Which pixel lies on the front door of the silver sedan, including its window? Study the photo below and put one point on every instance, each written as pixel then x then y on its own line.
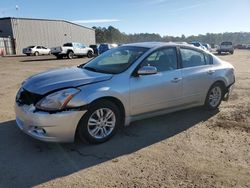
pixel 158 91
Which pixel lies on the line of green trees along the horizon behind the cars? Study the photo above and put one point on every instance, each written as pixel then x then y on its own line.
pixel 113 35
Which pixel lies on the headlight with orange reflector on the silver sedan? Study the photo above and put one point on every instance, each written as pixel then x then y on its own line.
pixel 58 100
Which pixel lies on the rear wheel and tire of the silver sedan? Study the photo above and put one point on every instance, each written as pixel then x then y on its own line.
pixel 214 96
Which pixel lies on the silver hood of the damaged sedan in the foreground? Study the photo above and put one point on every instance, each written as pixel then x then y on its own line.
pixel 62 78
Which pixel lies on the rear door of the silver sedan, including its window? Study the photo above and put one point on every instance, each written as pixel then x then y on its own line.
pixel 197 74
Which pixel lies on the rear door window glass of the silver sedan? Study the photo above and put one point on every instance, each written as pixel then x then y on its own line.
pixel 192 58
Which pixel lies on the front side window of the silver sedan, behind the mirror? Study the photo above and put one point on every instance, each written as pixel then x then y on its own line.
pixel 163 60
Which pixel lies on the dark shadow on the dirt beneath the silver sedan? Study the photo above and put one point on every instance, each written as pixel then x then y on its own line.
pixel 26 162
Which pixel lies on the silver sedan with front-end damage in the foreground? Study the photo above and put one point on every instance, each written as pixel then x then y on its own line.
pixel 125 84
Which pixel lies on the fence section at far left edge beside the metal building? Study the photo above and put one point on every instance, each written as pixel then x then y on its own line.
pixel 7 46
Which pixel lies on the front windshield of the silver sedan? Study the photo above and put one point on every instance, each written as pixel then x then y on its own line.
pixel 116 60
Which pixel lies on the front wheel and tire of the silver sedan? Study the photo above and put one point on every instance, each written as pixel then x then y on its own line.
pixel 91 128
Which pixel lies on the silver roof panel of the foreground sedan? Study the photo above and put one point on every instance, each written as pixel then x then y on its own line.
pixel 157 44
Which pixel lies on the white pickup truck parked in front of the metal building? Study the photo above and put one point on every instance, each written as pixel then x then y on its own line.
pixel 70 50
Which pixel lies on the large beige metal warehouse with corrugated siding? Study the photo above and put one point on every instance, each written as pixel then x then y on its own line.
pixel 49 33
